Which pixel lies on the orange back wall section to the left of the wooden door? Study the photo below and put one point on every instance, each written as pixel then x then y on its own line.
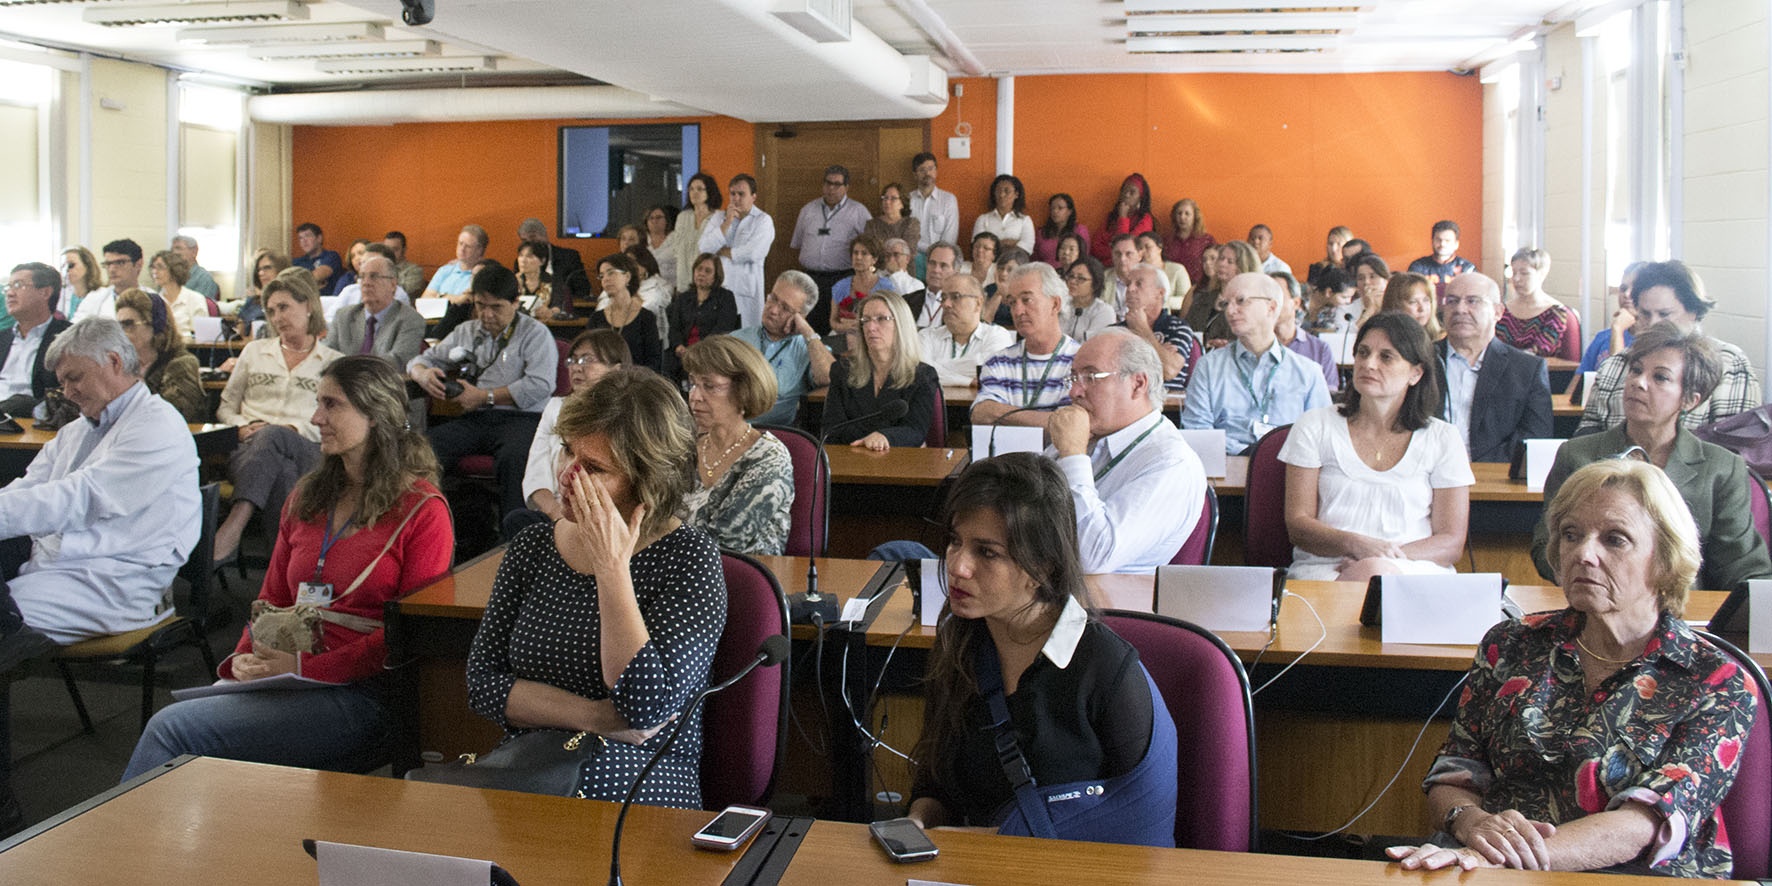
pixel 430 180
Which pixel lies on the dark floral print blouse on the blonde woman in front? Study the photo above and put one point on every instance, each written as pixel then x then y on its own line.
pixel 1663 731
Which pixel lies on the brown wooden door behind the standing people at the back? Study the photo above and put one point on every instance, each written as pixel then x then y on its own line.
pixel 791 169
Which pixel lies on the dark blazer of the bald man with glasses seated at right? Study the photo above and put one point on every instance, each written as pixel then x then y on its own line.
pixel 1512 400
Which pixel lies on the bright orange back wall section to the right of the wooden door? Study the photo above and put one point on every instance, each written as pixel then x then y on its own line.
pixel 1387 155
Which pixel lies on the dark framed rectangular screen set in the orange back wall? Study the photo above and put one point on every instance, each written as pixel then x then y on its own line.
pixel 612 175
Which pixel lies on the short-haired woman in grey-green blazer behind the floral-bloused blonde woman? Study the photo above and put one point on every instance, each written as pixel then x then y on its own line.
pixel 1672 371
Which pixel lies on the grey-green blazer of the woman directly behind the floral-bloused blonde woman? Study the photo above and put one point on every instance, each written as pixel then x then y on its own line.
pixel 1714 485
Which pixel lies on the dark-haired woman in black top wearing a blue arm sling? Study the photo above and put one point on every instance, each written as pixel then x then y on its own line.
pixel 1016 618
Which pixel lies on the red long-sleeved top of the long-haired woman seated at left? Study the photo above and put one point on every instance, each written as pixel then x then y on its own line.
pixel 423 554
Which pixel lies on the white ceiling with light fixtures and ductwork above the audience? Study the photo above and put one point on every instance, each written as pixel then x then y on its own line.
pixel 692 54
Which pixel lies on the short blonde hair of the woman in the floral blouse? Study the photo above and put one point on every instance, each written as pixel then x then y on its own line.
pixel 1677 554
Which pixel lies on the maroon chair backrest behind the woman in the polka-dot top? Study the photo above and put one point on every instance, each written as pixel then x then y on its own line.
pixel 745 727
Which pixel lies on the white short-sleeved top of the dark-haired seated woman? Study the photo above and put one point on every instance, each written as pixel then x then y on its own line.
pixel 1351 497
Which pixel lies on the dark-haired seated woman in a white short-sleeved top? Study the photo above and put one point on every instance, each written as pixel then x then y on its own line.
pixel 1380 486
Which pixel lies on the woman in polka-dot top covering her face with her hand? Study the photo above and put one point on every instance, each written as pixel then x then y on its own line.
pixel 607 621
